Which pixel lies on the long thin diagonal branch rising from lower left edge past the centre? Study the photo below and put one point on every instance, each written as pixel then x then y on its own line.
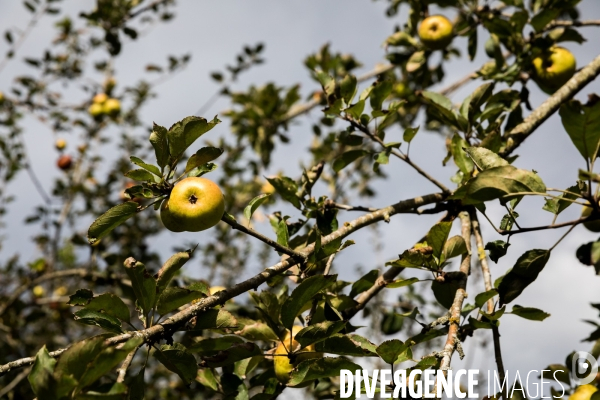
pixel 178 320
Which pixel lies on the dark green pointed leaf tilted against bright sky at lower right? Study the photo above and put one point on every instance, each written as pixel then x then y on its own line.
pixel 525 271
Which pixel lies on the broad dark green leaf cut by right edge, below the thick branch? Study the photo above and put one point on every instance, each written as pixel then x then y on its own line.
pixel 582 123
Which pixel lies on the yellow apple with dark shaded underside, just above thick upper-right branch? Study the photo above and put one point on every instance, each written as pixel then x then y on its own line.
pixel 553 68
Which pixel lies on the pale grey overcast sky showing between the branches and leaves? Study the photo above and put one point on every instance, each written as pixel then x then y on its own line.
pixel 213 32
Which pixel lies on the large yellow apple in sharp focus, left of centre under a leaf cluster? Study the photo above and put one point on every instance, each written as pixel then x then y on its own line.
pixel 195 204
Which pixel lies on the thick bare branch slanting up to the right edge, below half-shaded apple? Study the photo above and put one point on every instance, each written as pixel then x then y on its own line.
pixel 522 131
